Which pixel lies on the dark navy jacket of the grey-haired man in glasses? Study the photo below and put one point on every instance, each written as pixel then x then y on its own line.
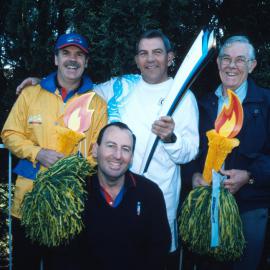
pixel 253 153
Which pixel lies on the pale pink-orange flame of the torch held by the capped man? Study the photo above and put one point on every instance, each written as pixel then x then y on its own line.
pixel 77 115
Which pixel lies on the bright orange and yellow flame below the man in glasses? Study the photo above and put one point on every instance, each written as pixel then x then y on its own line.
pixel 230 120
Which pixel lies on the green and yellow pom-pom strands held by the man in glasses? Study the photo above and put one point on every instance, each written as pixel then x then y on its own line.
pixel 195 225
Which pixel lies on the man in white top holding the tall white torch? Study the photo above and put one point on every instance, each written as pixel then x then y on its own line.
pixel 136 100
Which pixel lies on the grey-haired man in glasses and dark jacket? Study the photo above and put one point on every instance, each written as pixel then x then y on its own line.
pixel 247 167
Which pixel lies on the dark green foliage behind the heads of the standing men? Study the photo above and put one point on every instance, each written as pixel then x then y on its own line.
pixel 29 29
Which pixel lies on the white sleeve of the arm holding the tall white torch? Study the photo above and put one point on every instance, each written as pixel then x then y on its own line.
pixel 186 119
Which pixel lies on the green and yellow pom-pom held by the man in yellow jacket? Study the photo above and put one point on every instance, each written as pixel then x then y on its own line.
pixel 51 212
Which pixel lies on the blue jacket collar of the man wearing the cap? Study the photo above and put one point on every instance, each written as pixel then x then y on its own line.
pixel 49 84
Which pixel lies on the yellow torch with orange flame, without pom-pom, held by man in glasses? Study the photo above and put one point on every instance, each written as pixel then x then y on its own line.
pixel 221 140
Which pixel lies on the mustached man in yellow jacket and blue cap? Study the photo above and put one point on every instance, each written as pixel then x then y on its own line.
pixel 30 131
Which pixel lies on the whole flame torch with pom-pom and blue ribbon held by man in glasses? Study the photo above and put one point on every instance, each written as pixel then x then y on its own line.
pixel 204 225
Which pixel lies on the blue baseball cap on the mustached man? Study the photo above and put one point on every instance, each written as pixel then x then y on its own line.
pixel 72 39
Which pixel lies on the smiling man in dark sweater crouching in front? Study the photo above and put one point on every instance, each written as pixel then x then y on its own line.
pixel 125 217
